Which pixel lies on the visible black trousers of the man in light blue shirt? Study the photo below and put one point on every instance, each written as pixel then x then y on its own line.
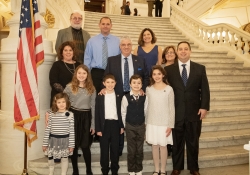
pixel 97 76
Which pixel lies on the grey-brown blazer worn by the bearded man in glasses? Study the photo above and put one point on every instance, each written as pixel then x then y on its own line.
pixel 66 35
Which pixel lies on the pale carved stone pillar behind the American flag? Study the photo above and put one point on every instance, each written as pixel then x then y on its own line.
pixel 11 140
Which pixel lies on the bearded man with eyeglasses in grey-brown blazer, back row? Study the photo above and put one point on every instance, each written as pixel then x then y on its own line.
pixel 74 33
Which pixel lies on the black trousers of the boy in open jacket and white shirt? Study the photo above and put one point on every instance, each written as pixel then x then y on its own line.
pixel 109 144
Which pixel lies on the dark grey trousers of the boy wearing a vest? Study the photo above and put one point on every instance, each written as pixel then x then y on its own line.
pixel 135 139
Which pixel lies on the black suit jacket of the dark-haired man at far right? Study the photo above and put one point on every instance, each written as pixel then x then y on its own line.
pixel 196 94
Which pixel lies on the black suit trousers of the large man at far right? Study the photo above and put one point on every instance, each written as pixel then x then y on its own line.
pixel 188 133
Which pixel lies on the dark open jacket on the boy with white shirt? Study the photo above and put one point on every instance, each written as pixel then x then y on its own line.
pixel 100 112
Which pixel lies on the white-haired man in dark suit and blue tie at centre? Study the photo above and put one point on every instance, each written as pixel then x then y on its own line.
pixel 123 66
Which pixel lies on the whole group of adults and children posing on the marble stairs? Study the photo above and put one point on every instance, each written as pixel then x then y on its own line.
pixel 153 95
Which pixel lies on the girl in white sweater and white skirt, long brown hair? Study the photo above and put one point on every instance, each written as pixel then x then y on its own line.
pixel 160 117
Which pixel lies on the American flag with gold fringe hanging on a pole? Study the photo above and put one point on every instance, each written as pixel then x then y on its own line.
pixel 29 55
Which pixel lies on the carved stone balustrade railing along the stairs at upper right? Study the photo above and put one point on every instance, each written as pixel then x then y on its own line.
pixel 216 37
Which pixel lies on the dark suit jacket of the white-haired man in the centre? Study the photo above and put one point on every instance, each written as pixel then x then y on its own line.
pixel 114 67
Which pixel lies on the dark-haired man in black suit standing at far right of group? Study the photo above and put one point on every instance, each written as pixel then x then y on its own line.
pixel 192 97
